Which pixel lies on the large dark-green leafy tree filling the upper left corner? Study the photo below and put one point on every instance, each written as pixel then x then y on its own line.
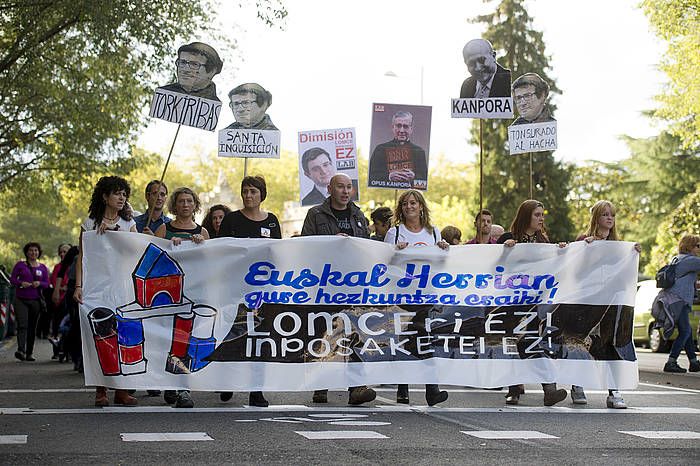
pixel 75 76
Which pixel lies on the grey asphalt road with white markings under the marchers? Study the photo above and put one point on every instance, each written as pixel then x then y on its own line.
pixel 47 416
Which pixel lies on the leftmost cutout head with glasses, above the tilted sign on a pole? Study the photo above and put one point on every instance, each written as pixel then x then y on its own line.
pixel 197 64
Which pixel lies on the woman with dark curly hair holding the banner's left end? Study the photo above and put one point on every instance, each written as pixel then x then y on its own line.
pixel 106 212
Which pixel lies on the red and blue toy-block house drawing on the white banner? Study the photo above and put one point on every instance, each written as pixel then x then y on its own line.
pixel 158 282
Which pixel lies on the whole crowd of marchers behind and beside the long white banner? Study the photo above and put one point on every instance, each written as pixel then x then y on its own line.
pixel 408 226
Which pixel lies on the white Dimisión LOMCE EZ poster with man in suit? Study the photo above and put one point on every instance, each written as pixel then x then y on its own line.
pixel 322 154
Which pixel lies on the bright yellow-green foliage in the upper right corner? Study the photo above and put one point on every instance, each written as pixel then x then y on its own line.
pixel 678 22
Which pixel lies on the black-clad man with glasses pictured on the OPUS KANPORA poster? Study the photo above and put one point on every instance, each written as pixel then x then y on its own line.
pixel 399 163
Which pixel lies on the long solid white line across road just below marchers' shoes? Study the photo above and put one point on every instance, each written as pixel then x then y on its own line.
pixel 555 410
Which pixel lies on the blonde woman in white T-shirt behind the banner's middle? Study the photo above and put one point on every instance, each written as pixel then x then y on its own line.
pixel 413 229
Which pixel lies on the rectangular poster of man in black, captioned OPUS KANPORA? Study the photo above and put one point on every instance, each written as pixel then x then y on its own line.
pixel 400 143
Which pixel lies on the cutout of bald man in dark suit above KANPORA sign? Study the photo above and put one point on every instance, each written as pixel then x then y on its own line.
pixel 488 78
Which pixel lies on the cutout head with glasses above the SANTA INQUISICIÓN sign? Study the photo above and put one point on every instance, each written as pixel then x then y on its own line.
pixel 249 102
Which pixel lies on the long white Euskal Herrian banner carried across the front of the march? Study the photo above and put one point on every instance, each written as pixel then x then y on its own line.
pixel 332 312
